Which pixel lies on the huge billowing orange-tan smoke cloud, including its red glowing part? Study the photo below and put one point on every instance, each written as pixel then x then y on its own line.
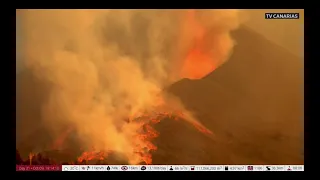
pixel 107 65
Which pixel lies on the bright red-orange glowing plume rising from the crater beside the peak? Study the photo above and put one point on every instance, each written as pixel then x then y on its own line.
pixel 209 47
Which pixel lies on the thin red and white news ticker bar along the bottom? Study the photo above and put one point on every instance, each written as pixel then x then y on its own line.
pixel 160 168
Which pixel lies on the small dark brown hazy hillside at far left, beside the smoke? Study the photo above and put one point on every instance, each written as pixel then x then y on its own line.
pixel 31 93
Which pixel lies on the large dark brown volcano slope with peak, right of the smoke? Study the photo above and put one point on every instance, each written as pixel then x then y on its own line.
pixel 253 103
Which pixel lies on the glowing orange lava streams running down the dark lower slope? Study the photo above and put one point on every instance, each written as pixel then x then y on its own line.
pixel 143 139
